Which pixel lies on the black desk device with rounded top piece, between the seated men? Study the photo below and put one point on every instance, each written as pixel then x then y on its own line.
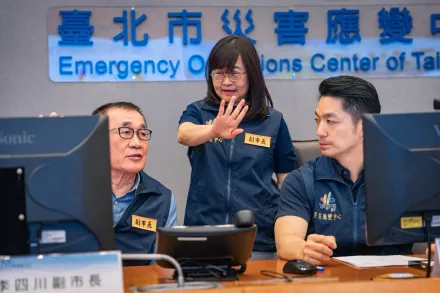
pixel 209 252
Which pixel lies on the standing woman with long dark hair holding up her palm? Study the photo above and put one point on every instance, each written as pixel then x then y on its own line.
pixel 236 141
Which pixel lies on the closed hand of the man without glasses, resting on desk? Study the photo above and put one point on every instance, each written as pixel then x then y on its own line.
pixel 319 248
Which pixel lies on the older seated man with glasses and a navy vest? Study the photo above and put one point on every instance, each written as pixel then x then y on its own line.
pixel 140 203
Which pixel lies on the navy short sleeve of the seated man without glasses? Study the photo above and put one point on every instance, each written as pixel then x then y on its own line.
pixel 293 198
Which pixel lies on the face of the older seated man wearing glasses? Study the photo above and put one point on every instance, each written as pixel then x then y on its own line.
pixel 126 155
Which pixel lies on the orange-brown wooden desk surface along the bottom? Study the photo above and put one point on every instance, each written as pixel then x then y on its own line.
pixel 350 279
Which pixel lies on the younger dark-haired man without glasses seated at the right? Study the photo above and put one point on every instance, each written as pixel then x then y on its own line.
pixel 322 204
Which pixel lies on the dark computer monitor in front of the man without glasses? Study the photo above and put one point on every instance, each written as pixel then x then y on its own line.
pixel 402 177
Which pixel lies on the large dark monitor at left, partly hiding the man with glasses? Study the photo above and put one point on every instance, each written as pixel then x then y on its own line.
pixel 55 185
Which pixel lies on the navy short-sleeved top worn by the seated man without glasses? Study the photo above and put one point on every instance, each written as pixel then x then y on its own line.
pixel 322 193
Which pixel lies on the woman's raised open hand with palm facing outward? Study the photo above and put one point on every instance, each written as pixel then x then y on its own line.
pixel 226 122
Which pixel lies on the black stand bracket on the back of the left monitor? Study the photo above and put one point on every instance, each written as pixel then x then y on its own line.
pixel 13 220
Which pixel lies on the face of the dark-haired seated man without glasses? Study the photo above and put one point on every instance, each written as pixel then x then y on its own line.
pixel 337 133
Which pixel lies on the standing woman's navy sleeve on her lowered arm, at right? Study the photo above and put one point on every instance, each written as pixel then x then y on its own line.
pixel 284 154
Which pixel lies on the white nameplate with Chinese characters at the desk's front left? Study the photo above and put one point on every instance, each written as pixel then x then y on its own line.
pixel 62 273
